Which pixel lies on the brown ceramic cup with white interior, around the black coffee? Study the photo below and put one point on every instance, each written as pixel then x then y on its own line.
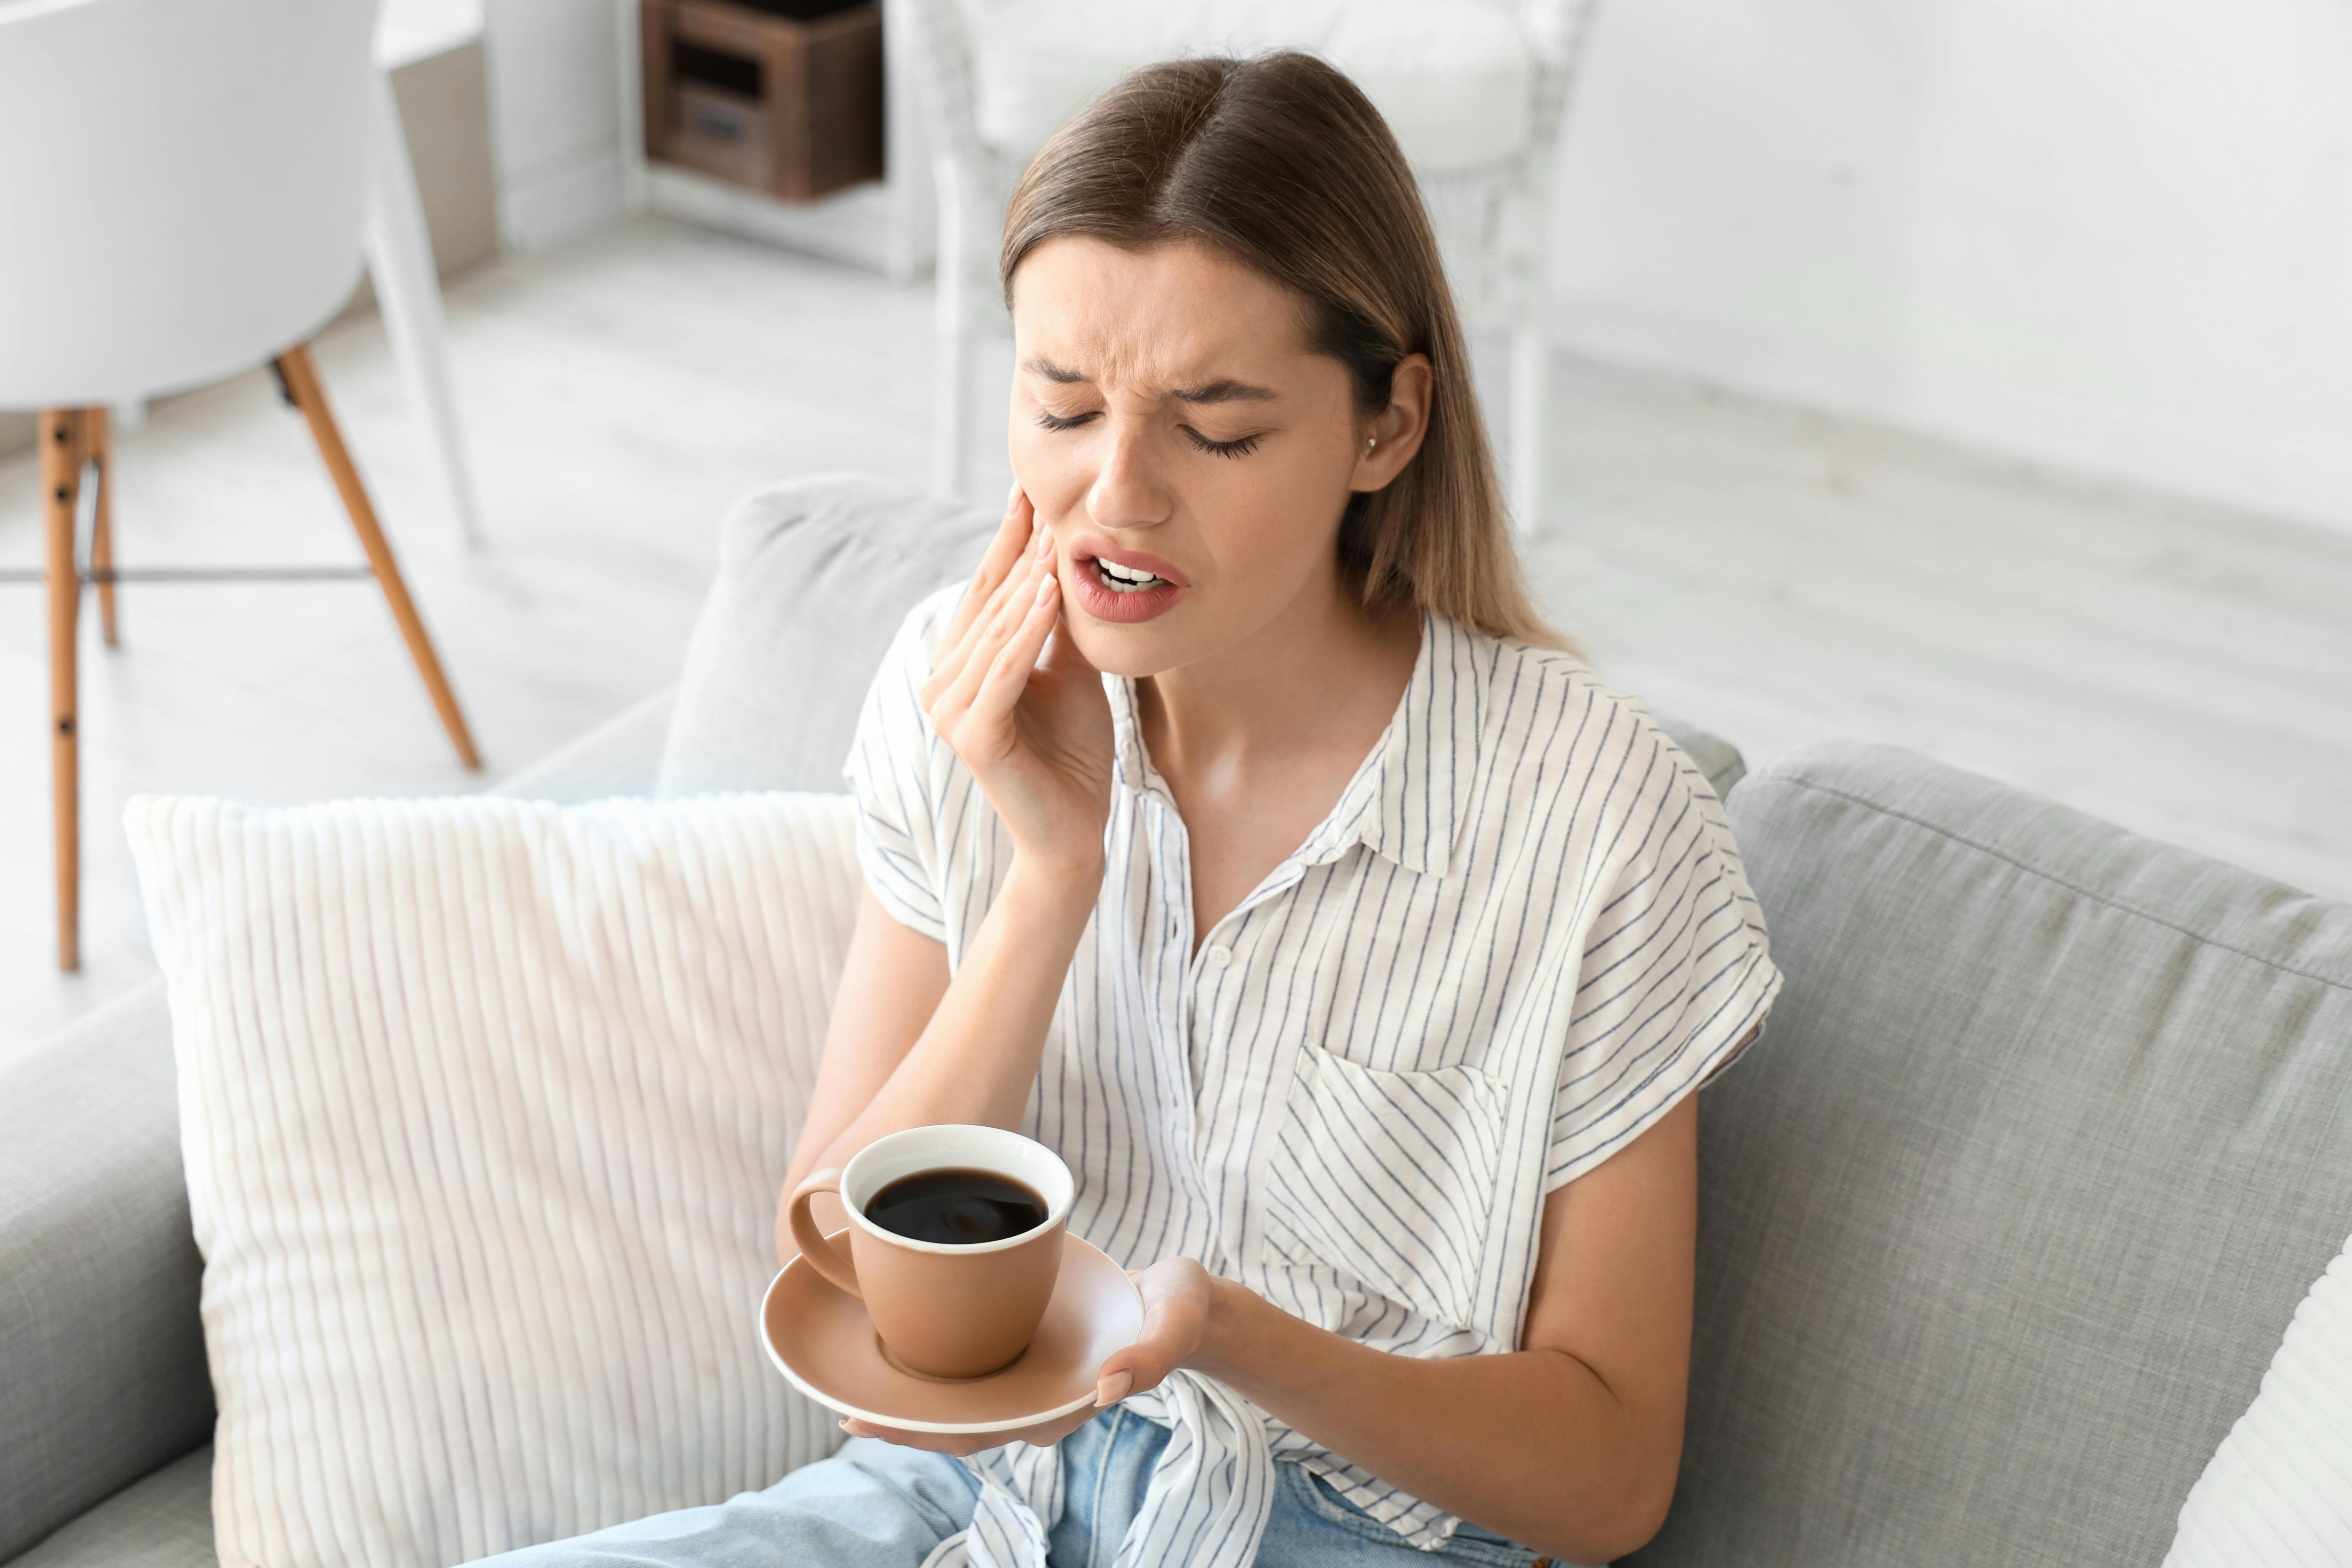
pixel 942 1311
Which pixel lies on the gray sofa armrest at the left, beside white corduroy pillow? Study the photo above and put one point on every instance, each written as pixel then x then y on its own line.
pixel 102 1353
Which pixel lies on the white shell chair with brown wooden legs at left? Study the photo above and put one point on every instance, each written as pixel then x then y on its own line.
pixel 185 187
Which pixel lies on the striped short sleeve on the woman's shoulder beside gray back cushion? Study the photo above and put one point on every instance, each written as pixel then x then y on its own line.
pixel 1673 984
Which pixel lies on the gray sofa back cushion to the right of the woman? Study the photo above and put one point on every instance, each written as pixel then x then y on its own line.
pixel 2005 1219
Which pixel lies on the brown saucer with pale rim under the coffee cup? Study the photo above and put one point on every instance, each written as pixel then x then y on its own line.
pixel 822 1339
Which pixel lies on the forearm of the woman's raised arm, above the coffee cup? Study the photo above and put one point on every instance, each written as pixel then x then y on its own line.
pixel 977 1057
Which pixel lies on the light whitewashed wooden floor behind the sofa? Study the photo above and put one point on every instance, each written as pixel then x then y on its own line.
pixel 1775 575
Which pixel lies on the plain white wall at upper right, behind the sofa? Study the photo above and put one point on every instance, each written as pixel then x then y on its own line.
pixel 2109 234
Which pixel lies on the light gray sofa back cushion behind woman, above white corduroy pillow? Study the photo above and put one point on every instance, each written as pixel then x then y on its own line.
pixel 815 579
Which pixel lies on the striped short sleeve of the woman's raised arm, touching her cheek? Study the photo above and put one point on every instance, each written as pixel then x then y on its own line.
pixel 895 768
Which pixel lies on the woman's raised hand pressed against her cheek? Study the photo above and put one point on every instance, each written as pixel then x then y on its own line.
pixel 1022 706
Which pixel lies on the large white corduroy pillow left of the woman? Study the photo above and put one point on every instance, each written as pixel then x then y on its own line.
pixel 486 1106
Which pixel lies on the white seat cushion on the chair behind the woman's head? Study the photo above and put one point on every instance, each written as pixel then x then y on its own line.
pixel 1455 81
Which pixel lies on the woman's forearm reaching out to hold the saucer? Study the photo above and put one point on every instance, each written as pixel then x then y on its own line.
pixel 1528 1445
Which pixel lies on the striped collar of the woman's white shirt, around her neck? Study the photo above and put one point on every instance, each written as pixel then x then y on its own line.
pixel 1412 793
